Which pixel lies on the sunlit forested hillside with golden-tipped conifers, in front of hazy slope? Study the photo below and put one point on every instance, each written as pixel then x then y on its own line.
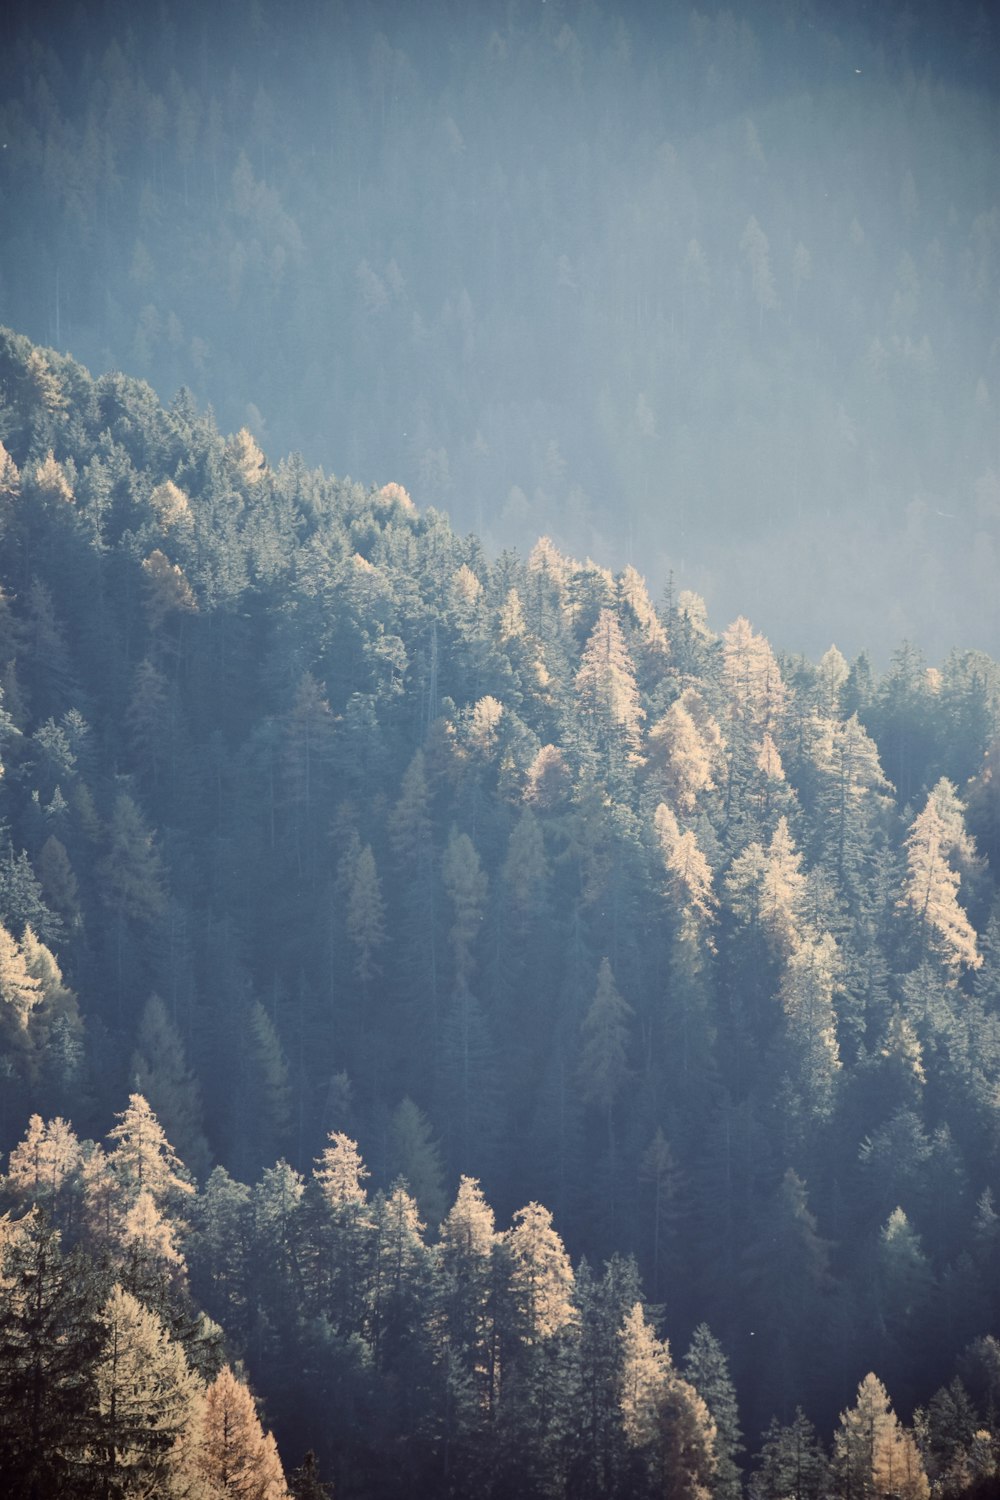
pixel 356 883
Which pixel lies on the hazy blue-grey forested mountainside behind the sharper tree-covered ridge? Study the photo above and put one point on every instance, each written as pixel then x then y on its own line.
pixel 710 290
